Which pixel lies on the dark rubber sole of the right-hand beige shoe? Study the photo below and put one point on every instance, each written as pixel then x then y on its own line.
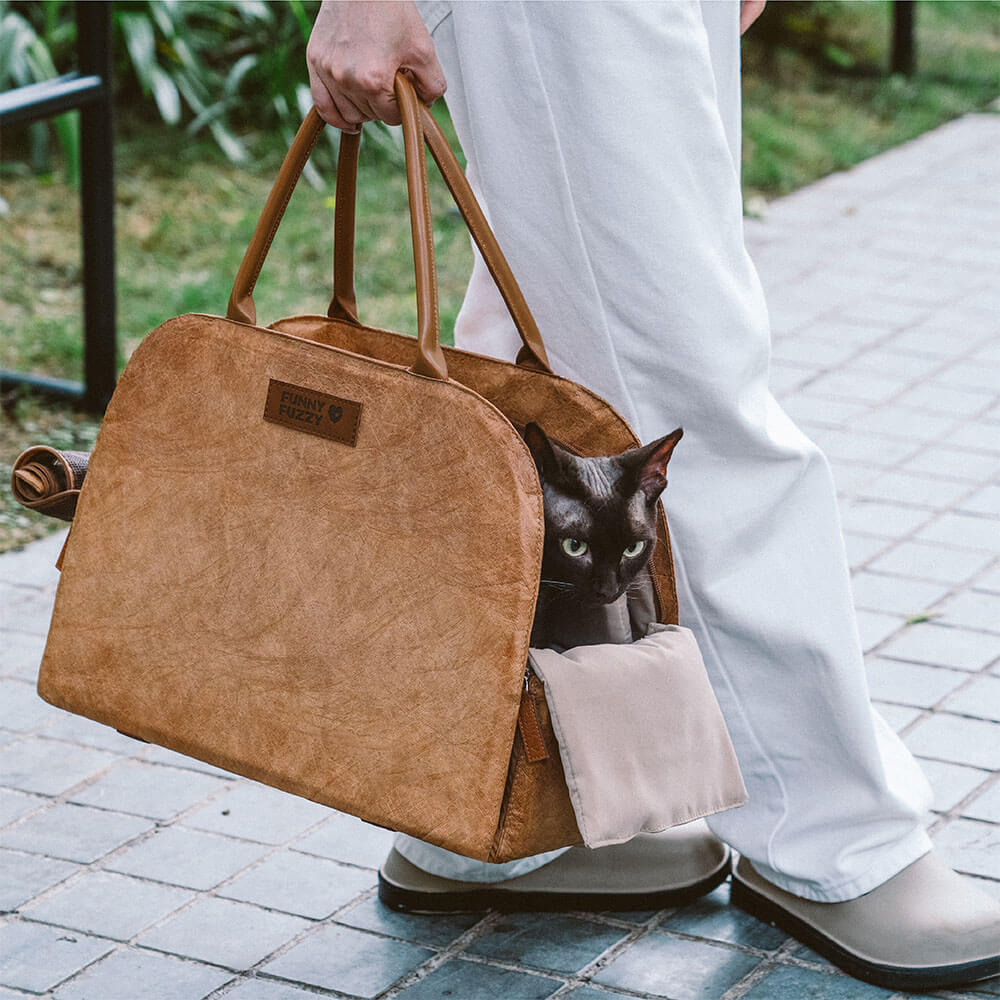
pixel 891 977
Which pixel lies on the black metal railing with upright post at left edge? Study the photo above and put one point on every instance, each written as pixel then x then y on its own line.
pixel 88 90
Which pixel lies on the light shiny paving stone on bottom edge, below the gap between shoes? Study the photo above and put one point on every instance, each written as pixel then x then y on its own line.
pixel 677 968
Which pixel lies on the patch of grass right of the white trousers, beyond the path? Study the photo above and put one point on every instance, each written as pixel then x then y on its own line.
pixel 815 102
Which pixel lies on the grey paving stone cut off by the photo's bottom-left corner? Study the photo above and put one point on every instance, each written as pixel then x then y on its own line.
pixel 36 958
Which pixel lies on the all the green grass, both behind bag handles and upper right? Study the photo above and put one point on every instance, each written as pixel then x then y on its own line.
pixel 815 100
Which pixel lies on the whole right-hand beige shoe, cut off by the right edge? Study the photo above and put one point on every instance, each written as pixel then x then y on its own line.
pixel 926 927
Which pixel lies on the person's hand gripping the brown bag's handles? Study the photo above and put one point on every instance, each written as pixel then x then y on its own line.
pixel 354 52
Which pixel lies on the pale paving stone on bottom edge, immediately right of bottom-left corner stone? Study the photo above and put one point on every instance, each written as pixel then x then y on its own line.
pixel 121 976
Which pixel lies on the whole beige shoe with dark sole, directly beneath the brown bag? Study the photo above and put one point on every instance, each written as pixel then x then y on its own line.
pixel 648 873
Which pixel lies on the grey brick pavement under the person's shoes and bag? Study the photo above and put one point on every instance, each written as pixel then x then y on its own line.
pixel 131 872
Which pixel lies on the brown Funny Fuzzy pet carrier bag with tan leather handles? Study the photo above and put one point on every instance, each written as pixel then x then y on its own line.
pixel 309 553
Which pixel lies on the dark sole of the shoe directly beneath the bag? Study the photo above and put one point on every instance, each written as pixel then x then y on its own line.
pixel 509 900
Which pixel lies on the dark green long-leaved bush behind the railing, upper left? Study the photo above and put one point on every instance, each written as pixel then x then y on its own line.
pixel 235 69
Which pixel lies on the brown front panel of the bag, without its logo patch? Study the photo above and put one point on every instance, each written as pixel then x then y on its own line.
pixel 346 623
